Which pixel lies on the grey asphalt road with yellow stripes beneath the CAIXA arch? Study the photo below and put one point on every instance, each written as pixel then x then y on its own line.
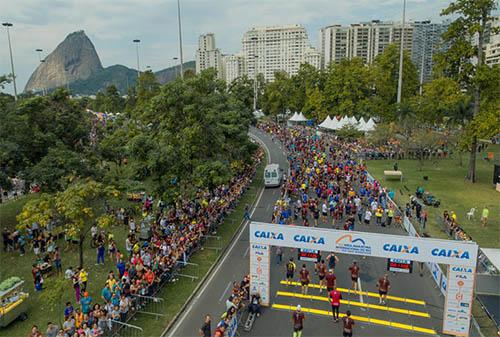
pixel 276 321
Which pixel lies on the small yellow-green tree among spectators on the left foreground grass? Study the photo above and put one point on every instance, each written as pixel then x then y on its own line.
pixel 77 208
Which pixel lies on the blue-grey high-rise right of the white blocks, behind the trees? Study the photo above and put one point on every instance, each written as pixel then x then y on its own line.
pixel 427 41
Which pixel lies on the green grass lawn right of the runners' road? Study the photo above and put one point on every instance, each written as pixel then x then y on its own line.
pixel 447 183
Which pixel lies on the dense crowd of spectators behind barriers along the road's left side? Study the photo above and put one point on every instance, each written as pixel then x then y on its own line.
pixel 173 234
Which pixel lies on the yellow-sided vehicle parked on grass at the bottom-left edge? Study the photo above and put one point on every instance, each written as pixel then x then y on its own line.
pixel 13 302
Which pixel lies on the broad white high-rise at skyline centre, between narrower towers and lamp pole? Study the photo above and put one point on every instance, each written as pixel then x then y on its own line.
pixel 279 48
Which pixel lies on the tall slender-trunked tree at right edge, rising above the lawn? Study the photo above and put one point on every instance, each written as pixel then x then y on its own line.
pixel 464 60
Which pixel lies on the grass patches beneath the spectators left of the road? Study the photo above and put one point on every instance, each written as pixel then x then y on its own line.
pixel 175 294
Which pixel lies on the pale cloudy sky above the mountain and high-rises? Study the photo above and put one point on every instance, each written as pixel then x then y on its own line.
pixel 113 24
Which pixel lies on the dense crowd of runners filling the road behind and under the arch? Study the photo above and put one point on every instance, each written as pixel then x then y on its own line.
pixel 328 185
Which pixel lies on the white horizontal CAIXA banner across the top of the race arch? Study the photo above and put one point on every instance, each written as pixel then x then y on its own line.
pixel 363 243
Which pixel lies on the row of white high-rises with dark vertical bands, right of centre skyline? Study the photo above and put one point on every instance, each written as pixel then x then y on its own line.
pixel 365 40
